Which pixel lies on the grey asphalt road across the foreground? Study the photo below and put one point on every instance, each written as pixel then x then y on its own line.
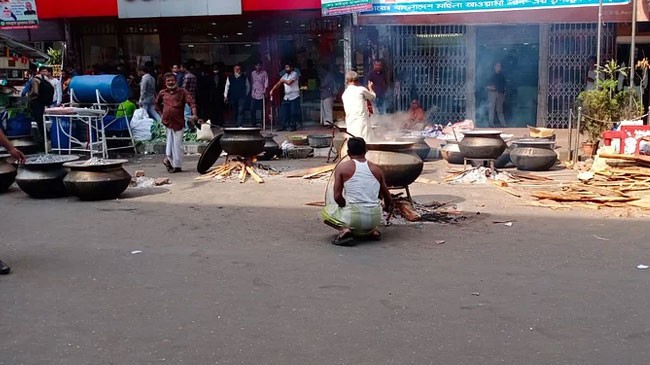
pixel 234 273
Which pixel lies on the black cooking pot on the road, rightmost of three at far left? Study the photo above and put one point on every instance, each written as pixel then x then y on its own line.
pixel 96 179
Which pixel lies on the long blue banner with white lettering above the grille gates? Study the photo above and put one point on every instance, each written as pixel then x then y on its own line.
pixel 404 7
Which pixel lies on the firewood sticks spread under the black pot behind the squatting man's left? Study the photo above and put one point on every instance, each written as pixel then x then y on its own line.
pixel 239 168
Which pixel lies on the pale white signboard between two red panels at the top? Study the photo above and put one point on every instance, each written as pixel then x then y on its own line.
pixel 176 8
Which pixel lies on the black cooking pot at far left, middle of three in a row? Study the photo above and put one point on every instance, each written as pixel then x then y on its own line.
pixel 41 176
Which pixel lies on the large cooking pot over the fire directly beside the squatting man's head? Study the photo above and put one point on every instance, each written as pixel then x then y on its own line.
pixel 401 167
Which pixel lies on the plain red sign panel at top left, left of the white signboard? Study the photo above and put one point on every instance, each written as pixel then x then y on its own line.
pixel 51 9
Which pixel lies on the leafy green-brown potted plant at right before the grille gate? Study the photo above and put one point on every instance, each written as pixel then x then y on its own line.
pixel 606 105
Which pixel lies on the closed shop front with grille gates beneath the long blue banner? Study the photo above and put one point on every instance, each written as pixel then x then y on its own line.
pixel 448 67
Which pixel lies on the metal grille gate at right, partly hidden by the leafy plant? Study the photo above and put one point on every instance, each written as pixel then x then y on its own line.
pixel 569 48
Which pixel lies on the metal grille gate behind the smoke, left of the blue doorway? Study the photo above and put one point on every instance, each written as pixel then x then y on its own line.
pixel 429 63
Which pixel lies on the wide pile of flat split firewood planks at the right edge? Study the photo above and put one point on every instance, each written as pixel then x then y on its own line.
pixel 614 185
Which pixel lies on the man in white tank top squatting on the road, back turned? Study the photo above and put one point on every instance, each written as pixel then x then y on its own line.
pixel 353 207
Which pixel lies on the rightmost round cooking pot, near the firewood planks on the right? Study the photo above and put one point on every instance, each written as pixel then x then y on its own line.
pixel 533 154
